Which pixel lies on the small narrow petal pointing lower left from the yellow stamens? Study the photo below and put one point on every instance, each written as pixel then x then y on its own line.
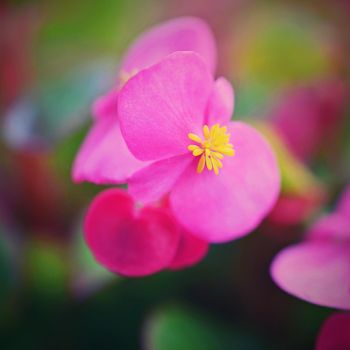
pixel 154 181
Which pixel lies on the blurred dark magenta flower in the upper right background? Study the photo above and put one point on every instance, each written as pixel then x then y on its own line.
pixel 309 118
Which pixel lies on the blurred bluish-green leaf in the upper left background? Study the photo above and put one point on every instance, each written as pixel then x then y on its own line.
pixel 57 107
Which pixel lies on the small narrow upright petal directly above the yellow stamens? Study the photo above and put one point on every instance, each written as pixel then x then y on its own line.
pixel 221 103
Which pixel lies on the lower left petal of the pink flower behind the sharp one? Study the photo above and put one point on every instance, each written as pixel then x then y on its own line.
pixel 104 157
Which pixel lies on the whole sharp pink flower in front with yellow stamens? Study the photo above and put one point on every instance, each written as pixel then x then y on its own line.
pixel 222 176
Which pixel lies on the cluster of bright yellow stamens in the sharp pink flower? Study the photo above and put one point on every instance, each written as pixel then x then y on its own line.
pixel 212 149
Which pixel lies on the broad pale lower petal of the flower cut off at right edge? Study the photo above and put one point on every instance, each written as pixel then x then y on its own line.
pixel 314 271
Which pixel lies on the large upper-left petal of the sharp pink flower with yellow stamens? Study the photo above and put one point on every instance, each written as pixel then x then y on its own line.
pixel 159 106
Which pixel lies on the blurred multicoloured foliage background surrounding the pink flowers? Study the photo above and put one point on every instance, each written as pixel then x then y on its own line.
pixel 289 64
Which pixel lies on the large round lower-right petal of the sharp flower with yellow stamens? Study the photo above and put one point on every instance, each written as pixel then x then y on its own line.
pixel 222 207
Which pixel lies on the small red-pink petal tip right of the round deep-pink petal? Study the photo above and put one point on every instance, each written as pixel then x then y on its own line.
pixel 190 251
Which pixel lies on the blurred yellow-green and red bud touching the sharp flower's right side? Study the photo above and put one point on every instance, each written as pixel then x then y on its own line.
pixel 301 192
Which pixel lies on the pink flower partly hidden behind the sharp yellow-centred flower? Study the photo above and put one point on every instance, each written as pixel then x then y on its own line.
pixel 104 157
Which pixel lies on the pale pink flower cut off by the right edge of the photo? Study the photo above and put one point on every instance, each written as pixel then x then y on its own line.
pixel 318 270
